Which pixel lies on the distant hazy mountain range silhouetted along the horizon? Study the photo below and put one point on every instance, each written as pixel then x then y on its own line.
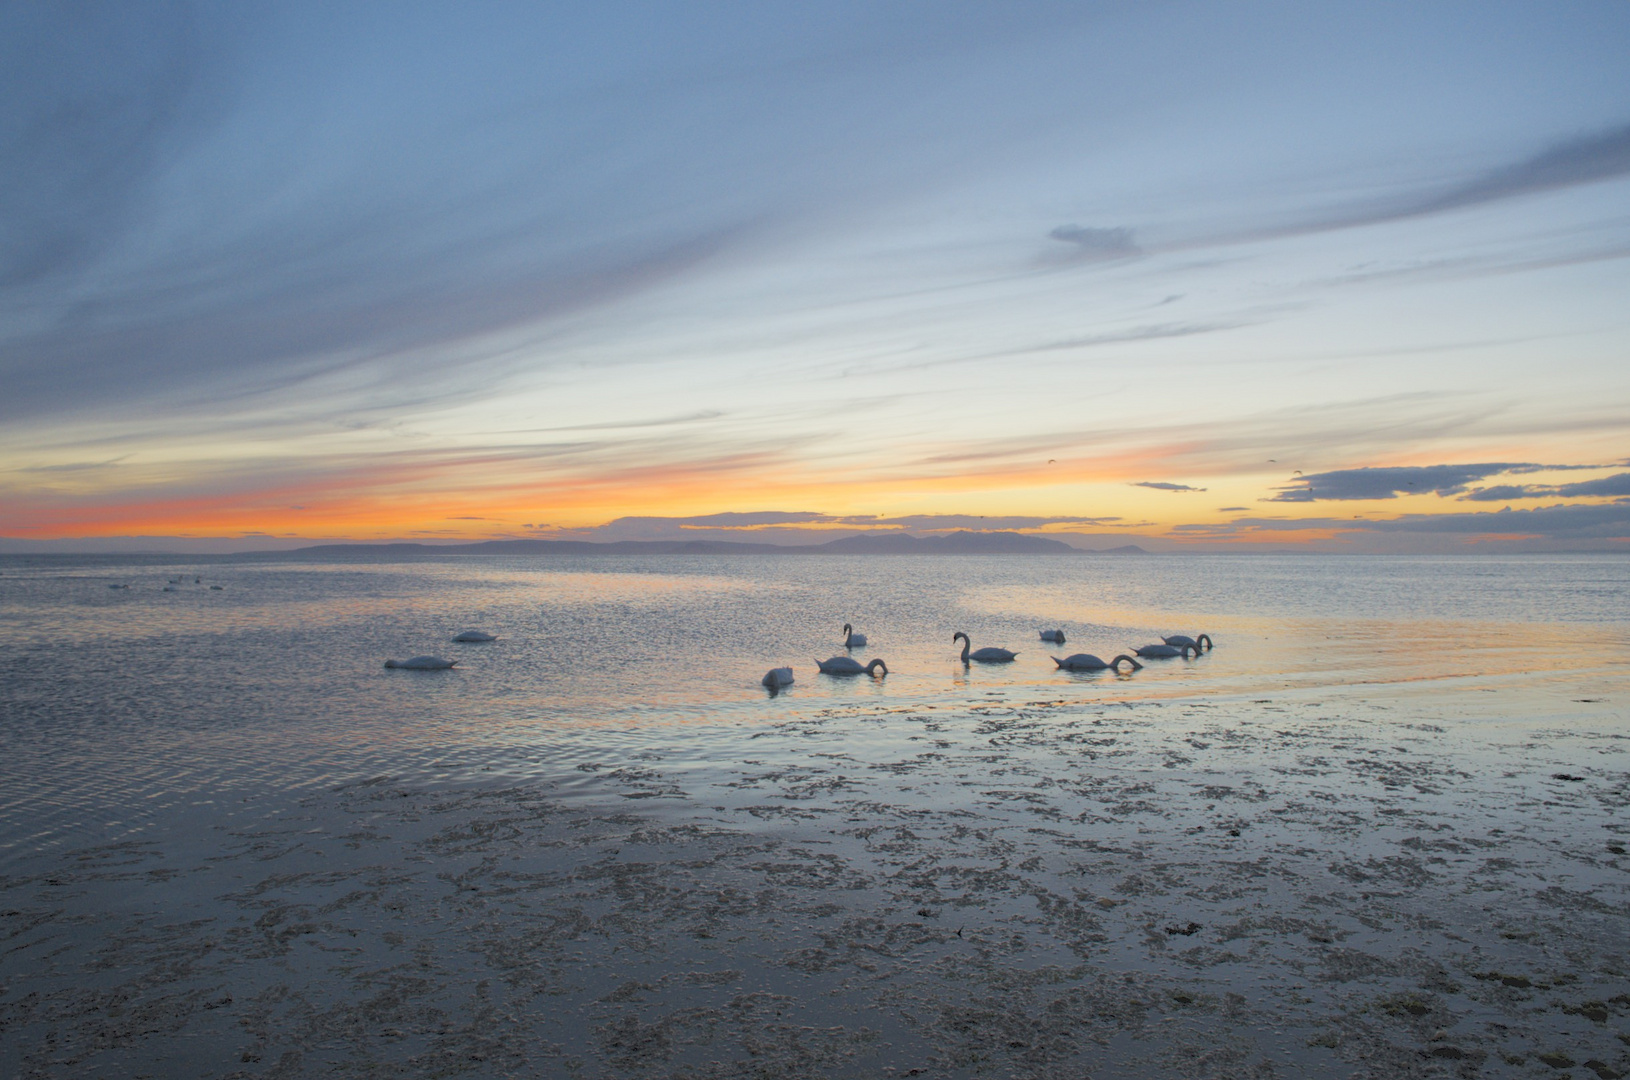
pixel 866 545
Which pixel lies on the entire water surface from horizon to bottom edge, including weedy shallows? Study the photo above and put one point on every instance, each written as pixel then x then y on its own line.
pixel 1380 832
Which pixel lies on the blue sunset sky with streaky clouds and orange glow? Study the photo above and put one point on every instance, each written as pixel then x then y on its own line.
pixel 1194 276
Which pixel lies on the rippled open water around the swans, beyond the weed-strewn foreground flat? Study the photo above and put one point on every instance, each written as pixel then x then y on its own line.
pixel 125 706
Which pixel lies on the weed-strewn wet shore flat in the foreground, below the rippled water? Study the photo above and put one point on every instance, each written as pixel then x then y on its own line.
pixel 1354 884
